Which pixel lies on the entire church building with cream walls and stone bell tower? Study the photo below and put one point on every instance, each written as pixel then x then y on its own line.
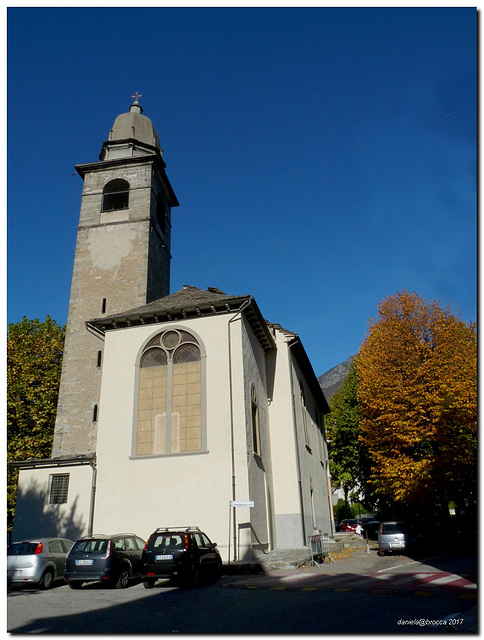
pixel 174 409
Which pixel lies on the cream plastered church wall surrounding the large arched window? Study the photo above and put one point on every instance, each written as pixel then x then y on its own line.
pixel 140 494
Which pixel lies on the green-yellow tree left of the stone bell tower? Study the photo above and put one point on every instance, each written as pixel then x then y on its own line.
pixel 34 362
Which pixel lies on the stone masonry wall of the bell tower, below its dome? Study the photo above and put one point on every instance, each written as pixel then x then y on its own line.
pixel 110 275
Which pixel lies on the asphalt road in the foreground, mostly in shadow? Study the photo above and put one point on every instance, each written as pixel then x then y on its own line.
pixel 304 601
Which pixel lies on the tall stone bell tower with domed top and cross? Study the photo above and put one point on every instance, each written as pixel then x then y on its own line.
pixel 122 261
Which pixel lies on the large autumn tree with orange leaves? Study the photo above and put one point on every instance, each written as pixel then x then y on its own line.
pixel 417 393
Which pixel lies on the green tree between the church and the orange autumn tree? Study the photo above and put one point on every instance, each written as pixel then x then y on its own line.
pixel 348 460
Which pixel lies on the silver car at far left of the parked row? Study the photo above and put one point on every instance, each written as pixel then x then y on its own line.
pixel 38 561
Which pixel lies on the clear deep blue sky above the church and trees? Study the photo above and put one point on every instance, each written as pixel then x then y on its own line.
pixel 324 159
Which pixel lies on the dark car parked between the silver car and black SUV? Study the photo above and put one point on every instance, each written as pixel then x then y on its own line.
pixel 113 560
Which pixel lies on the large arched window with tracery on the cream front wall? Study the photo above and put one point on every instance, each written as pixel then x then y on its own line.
pixel 170 396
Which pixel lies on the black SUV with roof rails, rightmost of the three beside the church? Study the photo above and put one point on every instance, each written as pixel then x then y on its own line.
pixel 184 554
